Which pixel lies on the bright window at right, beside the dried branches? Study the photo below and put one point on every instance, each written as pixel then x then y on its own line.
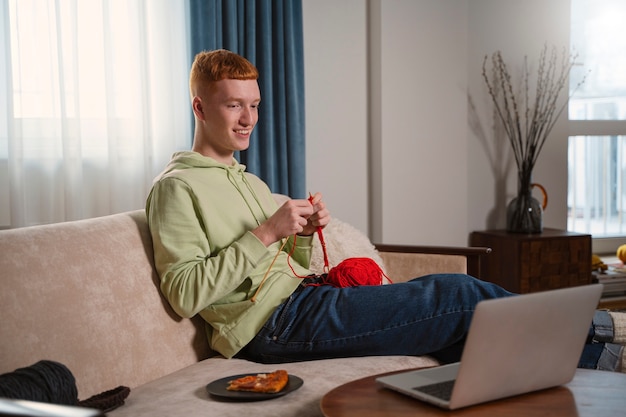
pixel 597 114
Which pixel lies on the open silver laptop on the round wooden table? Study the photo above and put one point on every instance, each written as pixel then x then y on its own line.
pixel 515 345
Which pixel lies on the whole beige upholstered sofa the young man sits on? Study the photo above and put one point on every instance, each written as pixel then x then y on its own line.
pixel 85 294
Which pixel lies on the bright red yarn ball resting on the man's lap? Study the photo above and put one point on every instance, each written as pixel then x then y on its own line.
pixel 353 272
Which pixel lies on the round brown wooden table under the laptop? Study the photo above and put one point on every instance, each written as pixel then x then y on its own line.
pixel 590 393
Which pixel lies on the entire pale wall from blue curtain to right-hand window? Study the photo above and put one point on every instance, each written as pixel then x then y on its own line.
pixel 387 115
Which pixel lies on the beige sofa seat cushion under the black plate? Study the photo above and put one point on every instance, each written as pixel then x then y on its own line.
pixel 184 394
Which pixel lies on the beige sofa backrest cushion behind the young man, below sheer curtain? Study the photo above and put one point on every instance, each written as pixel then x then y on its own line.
pixel 85 294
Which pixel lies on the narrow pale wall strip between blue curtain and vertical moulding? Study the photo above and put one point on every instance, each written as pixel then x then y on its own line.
pixel 335 43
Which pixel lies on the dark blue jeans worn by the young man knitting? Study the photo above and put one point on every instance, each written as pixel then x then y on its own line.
pixel 425 316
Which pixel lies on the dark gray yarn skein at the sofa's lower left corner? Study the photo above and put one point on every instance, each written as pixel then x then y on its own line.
pixel 45 381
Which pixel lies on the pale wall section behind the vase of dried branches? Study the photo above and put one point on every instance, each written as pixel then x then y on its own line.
pixel 516 29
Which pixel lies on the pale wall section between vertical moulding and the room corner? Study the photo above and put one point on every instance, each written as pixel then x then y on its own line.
pixel 423 114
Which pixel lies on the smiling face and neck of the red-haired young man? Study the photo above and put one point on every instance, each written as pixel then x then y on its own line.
pixel 226 113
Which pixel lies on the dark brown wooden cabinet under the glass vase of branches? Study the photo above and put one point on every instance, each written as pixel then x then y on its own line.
pixel 524 263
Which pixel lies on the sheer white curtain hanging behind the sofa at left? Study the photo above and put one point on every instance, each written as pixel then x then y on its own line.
pixel 94 102
